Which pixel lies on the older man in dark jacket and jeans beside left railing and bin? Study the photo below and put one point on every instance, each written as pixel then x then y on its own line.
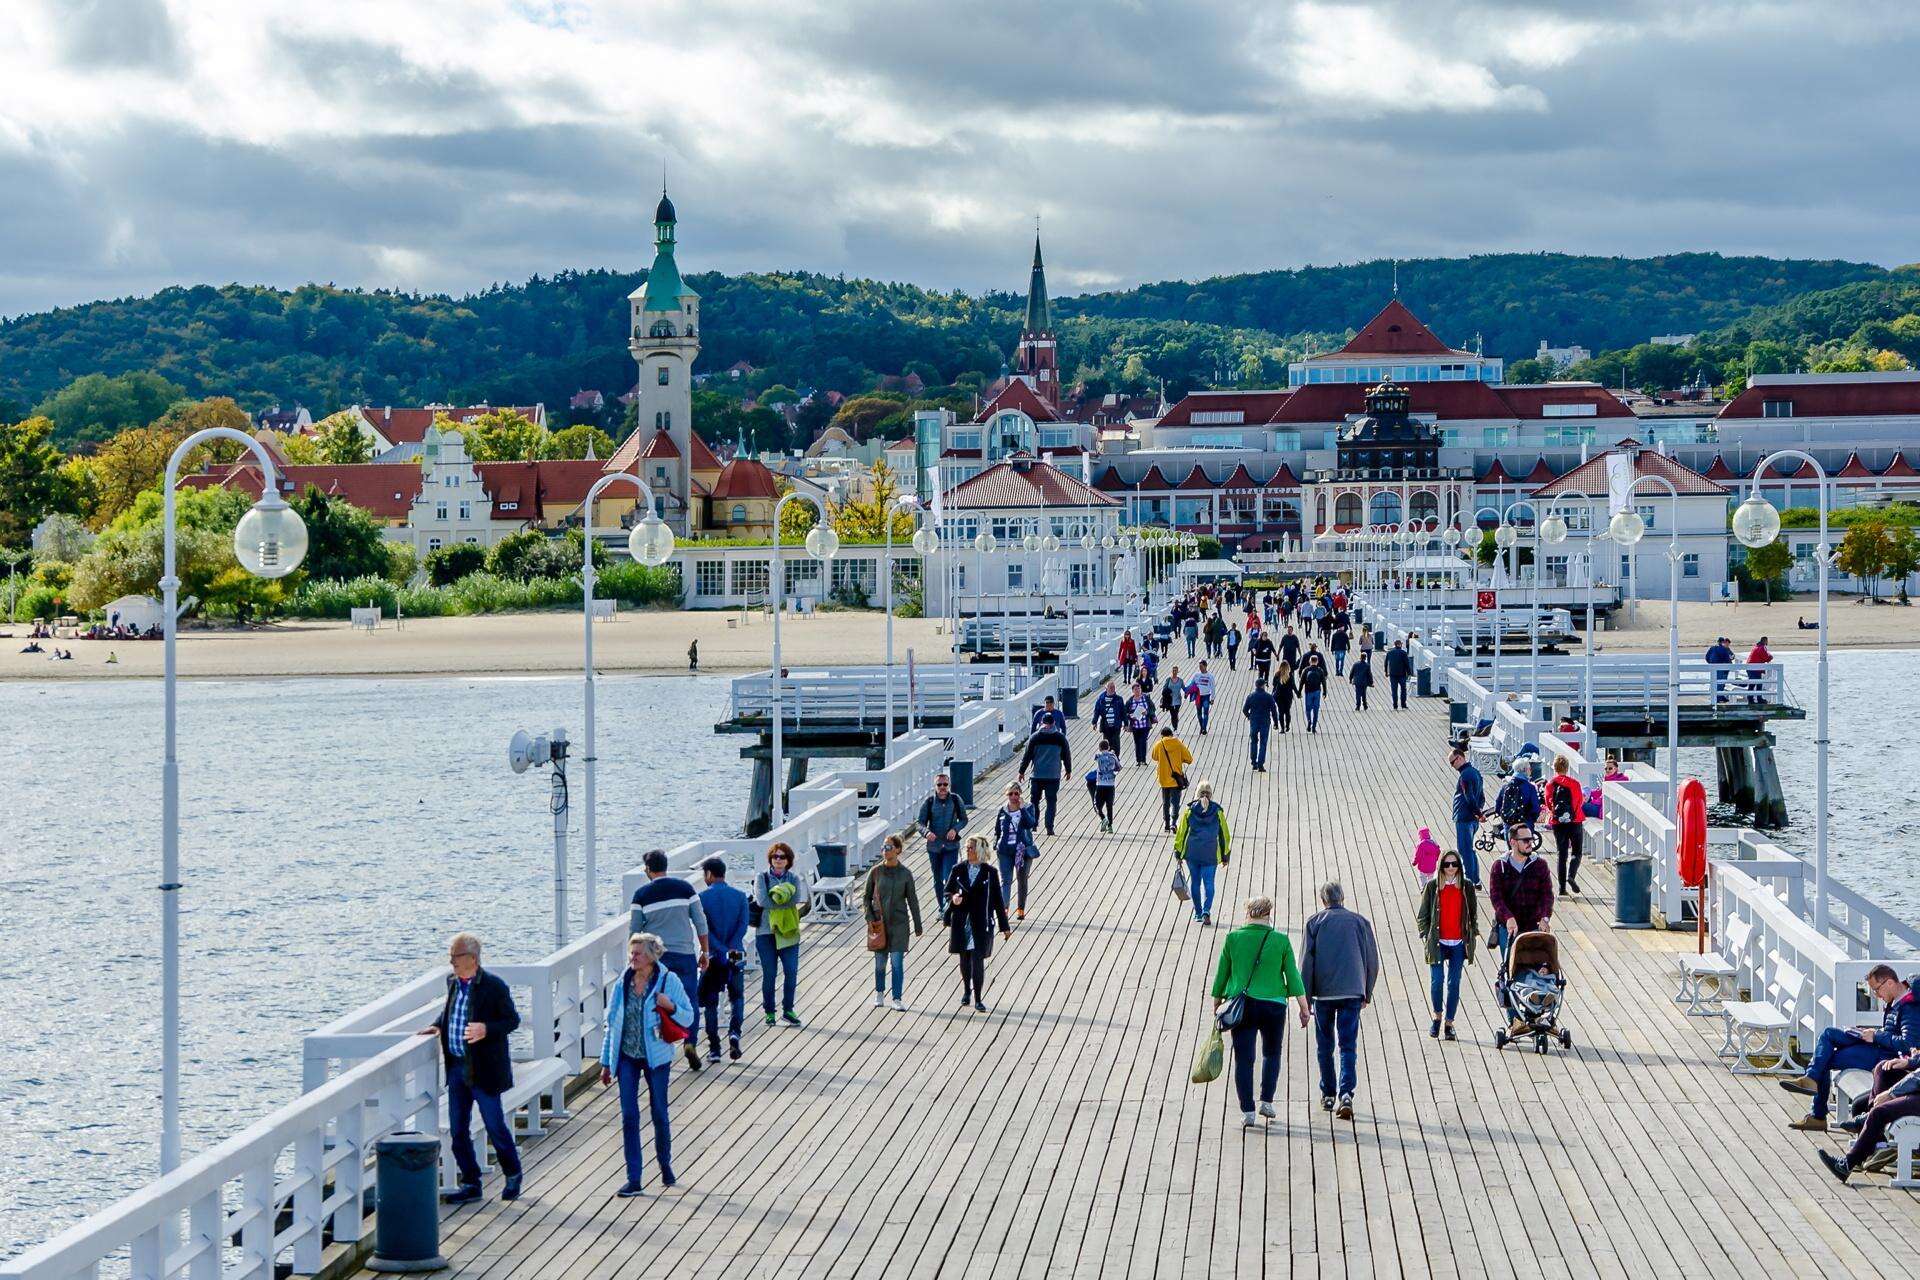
pixel 473 1030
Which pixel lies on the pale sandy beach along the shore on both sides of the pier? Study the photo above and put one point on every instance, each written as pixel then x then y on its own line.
pixel 650 642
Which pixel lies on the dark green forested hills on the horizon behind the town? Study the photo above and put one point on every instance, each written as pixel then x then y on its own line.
pixel 552 337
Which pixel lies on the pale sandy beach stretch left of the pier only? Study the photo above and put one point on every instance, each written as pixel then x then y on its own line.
pixel 642 642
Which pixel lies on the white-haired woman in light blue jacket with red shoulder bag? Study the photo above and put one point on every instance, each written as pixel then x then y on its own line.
pixel 648 1016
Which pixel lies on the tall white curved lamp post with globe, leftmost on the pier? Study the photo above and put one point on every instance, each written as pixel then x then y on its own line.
pixel 270 542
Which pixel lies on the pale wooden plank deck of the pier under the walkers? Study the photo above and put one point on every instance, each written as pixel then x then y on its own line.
pixel 1061 1137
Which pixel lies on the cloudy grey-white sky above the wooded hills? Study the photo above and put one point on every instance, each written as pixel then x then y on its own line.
pixel 446 145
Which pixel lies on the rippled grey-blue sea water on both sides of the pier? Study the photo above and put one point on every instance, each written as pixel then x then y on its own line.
pixel 335 832
